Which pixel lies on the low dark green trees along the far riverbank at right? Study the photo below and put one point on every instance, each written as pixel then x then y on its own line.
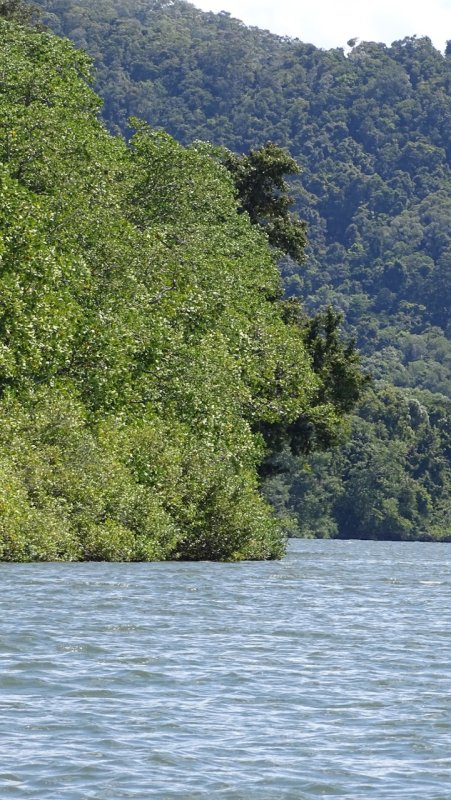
pixel 392 480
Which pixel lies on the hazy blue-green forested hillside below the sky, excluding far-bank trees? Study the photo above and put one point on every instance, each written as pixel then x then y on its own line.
pixel 371 131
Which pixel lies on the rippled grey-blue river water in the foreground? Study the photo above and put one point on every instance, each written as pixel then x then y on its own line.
pixel 327 674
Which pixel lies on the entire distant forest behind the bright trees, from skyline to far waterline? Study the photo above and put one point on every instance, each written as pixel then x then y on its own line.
pixel 370 129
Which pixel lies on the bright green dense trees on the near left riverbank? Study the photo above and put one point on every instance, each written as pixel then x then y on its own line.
pixel 149 365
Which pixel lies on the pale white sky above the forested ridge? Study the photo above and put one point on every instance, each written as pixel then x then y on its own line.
pixel 330 23
